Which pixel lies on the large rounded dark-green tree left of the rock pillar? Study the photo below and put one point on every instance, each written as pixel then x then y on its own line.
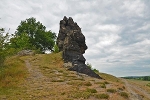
pixel 33 34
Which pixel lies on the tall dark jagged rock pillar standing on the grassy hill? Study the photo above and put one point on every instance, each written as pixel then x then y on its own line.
pixel 72 42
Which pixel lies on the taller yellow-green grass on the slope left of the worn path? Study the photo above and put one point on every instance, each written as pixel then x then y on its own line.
pixel 12 75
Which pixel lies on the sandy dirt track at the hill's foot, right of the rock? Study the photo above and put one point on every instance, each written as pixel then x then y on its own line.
pixel 135 91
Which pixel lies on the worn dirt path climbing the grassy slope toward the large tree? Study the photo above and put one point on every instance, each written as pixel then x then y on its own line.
pixel 37 85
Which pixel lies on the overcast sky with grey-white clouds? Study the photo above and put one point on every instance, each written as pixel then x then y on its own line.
pixel 117 31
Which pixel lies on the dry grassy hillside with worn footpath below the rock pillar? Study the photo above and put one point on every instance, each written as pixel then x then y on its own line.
pixel 42 77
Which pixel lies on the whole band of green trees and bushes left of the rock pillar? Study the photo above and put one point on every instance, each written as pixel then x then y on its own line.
pixel 31 35
